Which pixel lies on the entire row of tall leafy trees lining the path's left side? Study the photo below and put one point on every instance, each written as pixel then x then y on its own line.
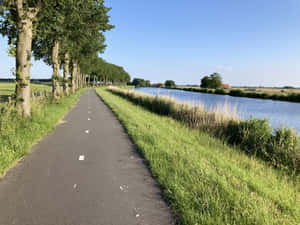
pixel 66 34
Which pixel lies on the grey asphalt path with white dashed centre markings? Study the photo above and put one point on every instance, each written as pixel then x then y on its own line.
pixel 86 172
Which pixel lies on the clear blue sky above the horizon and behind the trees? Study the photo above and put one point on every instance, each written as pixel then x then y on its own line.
pixel 253 42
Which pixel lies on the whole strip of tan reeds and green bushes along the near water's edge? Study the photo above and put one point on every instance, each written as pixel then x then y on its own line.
pixel 254 136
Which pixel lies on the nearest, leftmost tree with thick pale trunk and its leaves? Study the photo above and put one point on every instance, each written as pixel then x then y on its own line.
pixel 18 24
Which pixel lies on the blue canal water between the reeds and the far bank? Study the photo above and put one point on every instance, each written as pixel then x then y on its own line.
pixel 277 112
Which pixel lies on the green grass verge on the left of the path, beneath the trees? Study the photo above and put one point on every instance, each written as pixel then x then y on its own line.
pixel 18 135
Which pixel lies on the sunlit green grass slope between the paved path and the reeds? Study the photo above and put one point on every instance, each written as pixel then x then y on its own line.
pixel 206 181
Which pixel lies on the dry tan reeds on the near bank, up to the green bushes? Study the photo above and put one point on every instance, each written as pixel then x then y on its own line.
pixel 194 116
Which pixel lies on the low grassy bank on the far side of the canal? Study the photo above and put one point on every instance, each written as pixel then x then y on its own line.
pixel 290 95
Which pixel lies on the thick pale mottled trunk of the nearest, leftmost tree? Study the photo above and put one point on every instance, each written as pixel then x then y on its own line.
pixel 23 56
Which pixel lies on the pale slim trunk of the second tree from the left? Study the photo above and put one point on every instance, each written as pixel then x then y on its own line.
pixel 55 76
